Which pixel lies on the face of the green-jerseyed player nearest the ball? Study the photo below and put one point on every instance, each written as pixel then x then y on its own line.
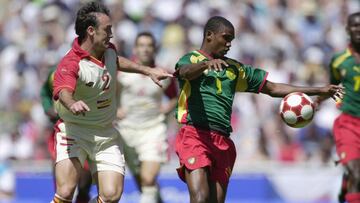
pixel 222 42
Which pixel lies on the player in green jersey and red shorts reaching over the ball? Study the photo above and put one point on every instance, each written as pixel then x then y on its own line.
pixel 208 82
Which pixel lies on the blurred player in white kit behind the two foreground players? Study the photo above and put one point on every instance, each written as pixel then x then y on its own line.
pixel 142 113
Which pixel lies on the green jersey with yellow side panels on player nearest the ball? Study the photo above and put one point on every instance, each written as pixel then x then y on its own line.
pixel 206 102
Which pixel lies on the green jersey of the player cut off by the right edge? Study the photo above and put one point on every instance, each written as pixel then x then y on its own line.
pixel 346 70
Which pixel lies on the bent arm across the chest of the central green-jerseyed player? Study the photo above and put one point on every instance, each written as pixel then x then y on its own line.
pixel 192 71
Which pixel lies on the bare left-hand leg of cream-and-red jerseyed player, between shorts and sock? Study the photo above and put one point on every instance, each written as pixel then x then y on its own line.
pixel 67 173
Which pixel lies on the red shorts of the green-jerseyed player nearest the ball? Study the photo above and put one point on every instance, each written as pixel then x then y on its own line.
pixel 197 148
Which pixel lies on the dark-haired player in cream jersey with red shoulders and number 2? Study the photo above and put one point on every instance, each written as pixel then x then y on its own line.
pixel 85 99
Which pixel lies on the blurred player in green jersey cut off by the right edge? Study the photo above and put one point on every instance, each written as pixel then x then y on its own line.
pixel 345 70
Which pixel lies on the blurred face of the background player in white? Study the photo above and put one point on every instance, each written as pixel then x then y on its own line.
pixel 145 49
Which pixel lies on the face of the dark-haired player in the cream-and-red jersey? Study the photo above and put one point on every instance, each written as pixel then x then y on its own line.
pixel 103 33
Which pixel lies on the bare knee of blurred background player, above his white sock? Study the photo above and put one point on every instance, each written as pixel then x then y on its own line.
pixel 149 171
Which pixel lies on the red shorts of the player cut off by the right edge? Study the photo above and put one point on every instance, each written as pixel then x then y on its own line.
pixel 347 137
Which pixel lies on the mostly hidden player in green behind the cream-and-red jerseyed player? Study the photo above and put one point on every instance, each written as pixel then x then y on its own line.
pixel 47 102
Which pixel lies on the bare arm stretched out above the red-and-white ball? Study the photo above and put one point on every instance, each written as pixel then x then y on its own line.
pixel 281 90
